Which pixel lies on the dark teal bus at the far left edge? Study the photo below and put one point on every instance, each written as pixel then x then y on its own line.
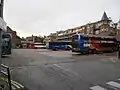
pixel 6 44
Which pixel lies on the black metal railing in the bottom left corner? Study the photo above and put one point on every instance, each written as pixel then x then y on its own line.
pixel 7 74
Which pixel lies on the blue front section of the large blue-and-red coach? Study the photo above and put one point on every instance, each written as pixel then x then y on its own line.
pixel 80 43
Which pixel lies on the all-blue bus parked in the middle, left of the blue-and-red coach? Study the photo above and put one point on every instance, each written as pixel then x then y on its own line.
pixel 59 45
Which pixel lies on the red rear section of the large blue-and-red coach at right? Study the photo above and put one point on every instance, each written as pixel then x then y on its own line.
pixel 102 44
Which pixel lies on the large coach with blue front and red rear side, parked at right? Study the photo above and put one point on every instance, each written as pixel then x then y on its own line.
pixel 91 44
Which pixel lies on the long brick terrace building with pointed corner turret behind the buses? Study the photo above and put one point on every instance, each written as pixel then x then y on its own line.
pixel 103 27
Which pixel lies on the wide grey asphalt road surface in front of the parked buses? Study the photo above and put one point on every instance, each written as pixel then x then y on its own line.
pixel 39 69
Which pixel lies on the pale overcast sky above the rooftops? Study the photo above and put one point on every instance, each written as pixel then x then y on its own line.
pixel 41 17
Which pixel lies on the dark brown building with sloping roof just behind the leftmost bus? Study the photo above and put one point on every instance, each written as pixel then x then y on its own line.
pixel 16 40
